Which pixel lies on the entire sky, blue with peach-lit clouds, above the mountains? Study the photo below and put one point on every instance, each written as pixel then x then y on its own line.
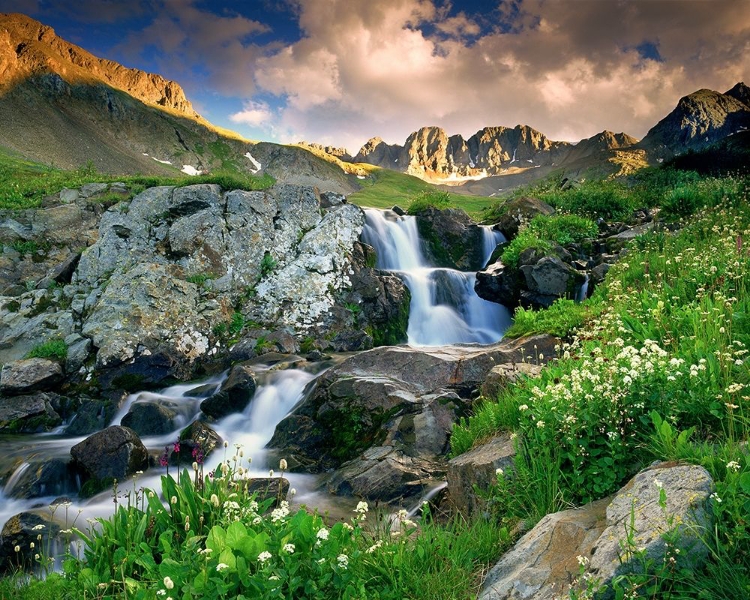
pixel 338 72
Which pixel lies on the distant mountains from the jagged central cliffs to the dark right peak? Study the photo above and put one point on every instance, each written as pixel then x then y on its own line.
pixel 699 119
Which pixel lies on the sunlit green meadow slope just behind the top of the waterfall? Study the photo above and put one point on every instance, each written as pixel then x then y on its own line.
pixel 385 188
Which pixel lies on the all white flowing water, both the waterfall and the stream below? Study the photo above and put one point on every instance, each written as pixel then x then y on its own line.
pixel 444 310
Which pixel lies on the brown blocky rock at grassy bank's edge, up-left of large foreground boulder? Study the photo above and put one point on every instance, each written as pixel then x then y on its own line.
pixel 476 469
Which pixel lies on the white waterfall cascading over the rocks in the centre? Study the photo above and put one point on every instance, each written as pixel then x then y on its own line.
pixel 444 307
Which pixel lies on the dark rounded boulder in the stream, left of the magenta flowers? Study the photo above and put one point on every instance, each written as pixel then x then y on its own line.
pixel 115 452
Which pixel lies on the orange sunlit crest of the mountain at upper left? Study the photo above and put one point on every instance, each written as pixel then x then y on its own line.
pixel 31 49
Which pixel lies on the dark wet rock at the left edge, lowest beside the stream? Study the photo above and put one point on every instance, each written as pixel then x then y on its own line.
pixel 20 531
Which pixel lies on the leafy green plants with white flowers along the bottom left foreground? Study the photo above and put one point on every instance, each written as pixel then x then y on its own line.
pixel 207 537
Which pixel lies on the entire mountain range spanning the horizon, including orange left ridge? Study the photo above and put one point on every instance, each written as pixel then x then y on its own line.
pixel 61 105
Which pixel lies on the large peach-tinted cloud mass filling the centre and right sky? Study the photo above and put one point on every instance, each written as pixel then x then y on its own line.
pixel 567 69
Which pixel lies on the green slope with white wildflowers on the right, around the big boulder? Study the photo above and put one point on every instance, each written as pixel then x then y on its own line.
pixel 655 367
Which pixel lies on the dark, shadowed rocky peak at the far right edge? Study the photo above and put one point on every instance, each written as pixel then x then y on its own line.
pixel 700 119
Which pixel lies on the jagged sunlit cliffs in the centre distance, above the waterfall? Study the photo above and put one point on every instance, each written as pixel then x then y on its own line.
pixel 431 153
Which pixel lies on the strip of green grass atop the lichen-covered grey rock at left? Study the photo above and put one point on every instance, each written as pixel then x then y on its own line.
pixel 24 184
